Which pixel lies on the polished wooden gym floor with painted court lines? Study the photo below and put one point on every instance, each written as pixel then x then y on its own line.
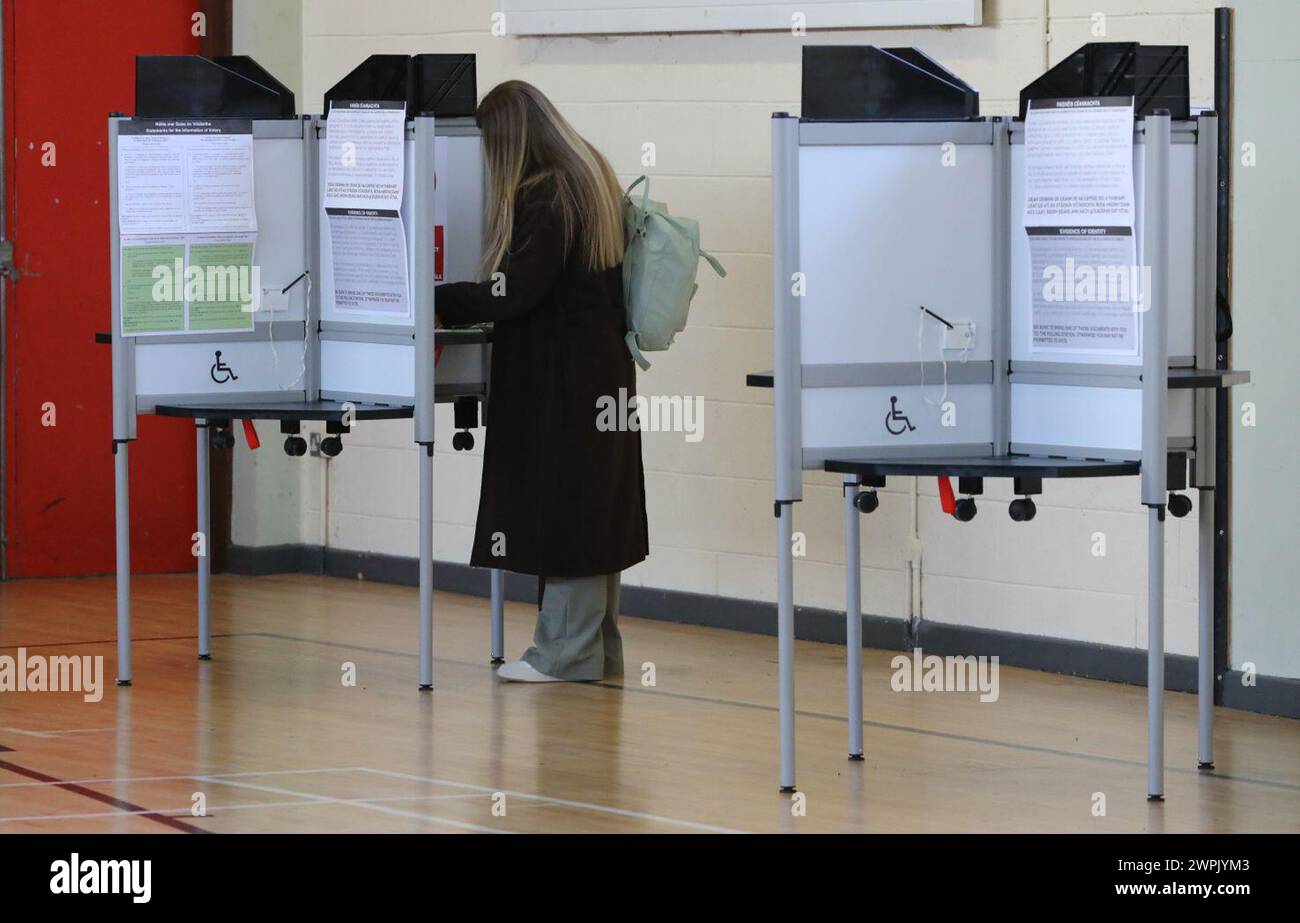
pixel 274 742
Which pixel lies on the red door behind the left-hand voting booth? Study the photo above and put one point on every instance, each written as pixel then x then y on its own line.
pixel 68 64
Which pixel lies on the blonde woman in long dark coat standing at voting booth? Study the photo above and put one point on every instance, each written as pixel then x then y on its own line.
pixel 562 499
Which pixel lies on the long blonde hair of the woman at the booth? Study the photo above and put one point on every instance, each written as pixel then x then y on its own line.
pixel 526 141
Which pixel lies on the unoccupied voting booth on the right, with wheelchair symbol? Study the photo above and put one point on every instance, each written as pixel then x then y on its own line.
pixel 969 298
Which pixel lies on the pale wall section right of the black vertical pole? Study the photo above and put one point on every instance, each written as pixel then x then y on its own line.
pixel 1266 631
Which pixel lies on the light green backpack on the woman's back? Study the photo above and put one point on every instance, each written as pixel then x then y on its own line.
pixel 658 272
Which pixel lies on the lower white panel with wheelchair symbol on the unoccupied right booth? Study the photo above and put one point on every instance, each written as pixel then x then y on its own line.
pixel 856 417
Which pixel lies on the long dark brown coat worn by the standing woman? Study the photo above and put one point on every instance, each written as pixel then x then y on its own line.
pixel 569 499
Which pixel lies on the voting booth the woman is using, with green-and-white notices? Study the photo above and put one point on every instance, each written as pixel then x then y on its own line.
pixel 278 267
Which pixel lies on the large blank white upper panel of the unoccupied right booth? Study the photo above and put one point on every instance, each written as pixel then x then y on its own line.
pixel 885 229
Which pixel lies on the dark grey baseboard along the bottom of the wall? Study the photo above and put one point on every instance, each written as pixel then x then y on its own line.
pixel 1269 696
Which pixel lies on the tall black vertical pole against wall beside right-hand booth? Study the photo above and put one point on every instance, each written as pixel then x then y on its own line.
pixel 1224 417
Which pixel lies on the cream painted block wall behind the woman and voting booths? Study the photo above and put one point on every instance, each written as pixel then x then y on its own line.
pixel 705 102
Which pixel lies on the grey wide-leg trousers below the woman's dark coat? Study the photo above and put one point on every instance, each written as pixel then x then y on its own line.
pixel 578 630
